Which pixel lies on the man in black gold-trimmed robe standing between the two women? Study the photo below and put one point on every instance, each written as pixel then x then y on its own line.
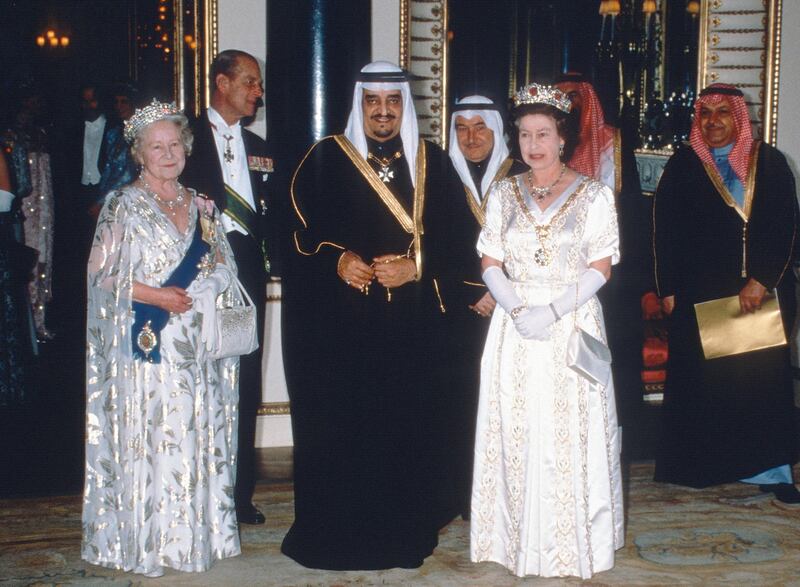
pixel 375 261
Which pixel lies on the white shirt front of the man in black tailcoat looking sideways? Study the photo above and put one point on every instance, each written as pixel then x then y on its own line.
pixel 234 173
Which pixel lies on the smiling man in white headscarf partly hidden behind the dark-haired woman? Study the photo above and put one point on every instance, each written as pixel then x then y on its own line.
pixel 481 159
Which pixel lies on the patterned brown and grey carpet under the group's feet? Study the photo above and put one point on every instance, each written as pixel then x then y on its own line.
pixel 729 535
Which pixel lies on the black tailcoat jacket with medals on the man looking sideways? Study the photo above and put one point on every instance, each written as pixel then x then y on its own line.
pixel 203 172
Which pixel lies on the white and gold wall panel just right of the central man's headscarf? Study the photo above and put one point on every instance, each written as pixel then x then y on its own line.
pixel 423 52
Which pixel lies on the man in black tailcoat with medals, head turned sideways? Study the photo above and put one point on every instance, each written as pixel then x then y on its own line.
pixel 230 165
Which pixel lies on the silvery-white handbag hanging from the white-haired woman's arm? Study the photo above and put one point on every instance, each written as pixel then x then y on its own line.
pixel 236 331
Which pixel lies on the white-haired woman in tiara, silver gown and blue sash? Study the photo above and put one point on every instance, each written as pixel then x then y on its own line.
pixel 161 413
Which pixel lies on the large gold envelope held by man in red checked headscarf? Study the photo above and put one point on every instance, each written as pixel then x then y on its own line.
pixel 725 331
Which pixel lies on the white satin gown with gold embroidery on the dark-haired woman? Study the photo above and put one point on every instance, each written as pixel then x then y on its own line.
pixel 547 489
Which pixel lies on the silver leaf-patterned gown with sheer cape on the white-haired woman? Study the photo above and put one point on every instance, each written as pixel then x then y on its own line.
pixel 160 438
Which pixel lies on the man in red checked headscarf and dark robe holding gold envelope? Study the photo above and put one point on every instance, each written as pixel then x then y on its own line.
pixel 724 225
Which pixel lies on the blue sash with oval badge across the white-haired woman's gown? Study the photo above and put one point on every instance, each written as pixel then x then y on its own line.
pixel 150 320
